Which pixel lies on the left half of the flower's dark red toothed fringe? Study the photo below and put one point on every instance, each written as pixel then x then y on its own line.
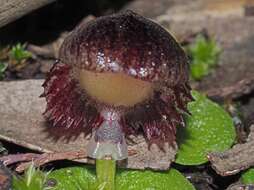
pixel 69 113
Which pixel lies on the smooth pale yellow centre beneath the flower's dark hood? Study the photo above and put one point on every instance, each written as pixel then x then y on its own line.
pixel 115 88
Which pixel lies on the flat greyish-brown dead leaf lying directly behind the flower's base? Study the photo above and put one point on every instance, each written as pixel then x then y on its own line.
pixel 21 122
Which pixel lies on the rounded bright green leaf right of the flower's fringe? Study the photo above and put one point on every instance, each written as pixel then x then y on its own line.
pixel 208 129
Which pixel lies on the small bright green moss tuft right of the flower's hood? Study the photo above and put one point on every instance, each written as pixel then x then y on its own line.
pixel 204 54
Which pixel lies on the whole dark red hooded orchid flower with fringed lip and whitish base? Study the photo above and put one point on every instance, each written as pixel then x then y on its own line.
pixel 116 76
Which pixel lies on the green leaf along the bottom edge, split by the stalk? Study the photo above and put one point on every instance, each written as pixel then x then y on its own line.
pixel 77 178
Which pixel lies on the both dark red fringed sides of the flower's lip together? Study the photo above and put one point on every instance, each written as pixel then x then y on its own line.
pixel 71 113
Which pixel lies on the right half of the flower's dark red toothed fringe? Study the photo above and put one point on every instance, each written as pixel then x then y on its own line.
pixel 160 117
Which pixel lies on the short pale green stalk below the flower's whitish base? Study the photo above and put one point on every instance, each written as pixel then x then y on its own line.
pixel 105 171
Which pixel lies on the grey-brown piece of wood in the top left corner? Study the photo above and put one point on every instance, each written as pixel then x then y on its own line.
pixel 11 10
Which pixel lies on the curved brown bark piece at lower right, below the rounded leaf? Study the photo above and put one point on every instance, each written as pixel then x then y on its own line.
pixel 238 158
